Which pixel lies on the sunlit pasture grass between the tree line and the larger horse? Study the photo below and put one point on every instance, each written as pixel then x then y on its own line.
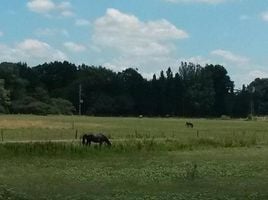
pixel 27 127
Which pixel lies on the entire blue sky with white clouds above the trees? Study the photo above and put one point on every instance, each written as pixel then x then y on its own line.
pixel 150 35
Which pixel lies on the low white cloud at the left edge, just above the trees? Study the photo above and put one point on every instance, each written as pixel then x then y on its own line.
pixel 31 51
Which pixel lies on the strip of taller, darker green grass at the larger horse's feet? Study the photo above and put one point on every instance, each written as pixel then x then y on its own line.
pixel 128 145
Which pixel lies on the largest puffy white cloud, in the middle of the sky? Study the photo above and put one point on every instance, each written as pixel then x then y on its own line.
pixel 133 42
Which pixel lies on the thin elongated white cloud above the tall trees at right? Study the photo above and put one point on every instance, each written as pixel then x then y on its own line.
pixel 231 57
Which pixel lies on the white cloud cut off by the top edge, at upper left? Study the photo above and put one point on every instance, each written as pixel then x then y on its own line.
pixel 49 7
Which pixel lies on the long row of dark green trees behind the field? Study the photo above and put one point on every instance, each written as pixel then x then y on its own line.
pixel 193 91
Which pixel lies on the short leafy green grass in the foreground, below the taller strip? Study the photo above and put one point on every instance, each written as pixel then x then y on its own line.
pixel 231 173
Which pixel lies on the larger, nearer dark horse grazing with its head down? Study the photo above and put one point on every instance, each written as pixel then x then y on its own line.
pixel 96 138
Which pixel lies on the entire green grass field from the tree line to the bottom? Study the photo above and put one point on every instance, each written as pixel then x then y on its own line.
pixel 151 158
